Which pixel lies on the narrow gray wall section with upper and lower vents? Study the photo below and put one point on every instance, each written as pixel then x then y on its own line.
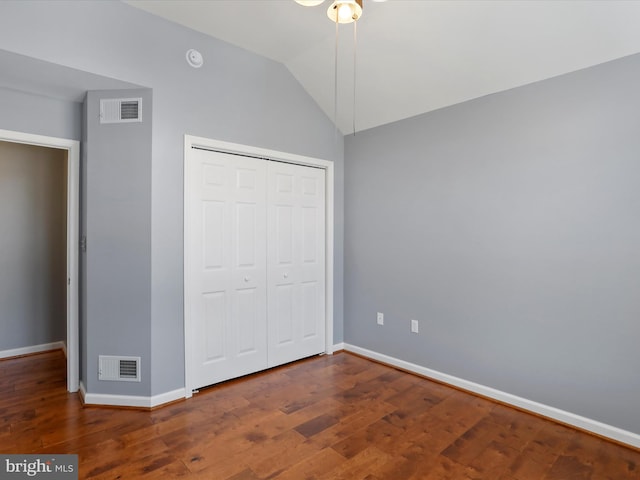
pixel 116 287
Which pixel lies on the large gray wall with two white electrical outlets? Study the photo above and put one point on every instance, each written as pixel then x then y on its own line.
pixel 508 226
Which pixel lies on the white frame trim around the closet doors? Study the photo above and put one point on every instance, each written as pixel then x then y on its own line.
pixel 191 141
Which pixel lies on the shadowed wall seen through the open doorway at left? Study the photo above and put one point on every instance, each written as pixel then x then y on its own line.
pixel 33 245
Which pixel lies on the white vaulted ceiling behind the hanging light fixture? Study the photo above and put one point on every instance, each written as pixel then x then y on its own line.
pixel 414 56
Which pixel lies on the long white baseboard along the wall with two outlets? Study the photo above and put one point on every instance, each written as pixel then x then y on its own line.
pixel 565 417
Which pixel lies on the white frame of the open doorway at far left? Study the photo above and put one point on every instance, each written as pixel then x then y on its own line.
pixel 73 214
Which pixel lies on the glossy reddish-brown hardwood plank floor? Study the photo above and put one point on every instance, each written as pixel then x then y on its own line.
pixel 331 417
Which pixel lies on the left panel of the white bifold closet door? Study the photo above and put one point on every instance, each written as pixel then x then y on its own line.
pixel 227 265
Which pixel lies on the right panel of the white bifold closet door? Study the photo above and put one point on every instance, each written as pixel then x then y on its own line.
pixel 295 262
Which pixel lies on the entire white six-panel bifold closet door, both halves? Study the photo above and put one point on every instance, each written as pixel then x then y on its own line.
pixel 255 264
